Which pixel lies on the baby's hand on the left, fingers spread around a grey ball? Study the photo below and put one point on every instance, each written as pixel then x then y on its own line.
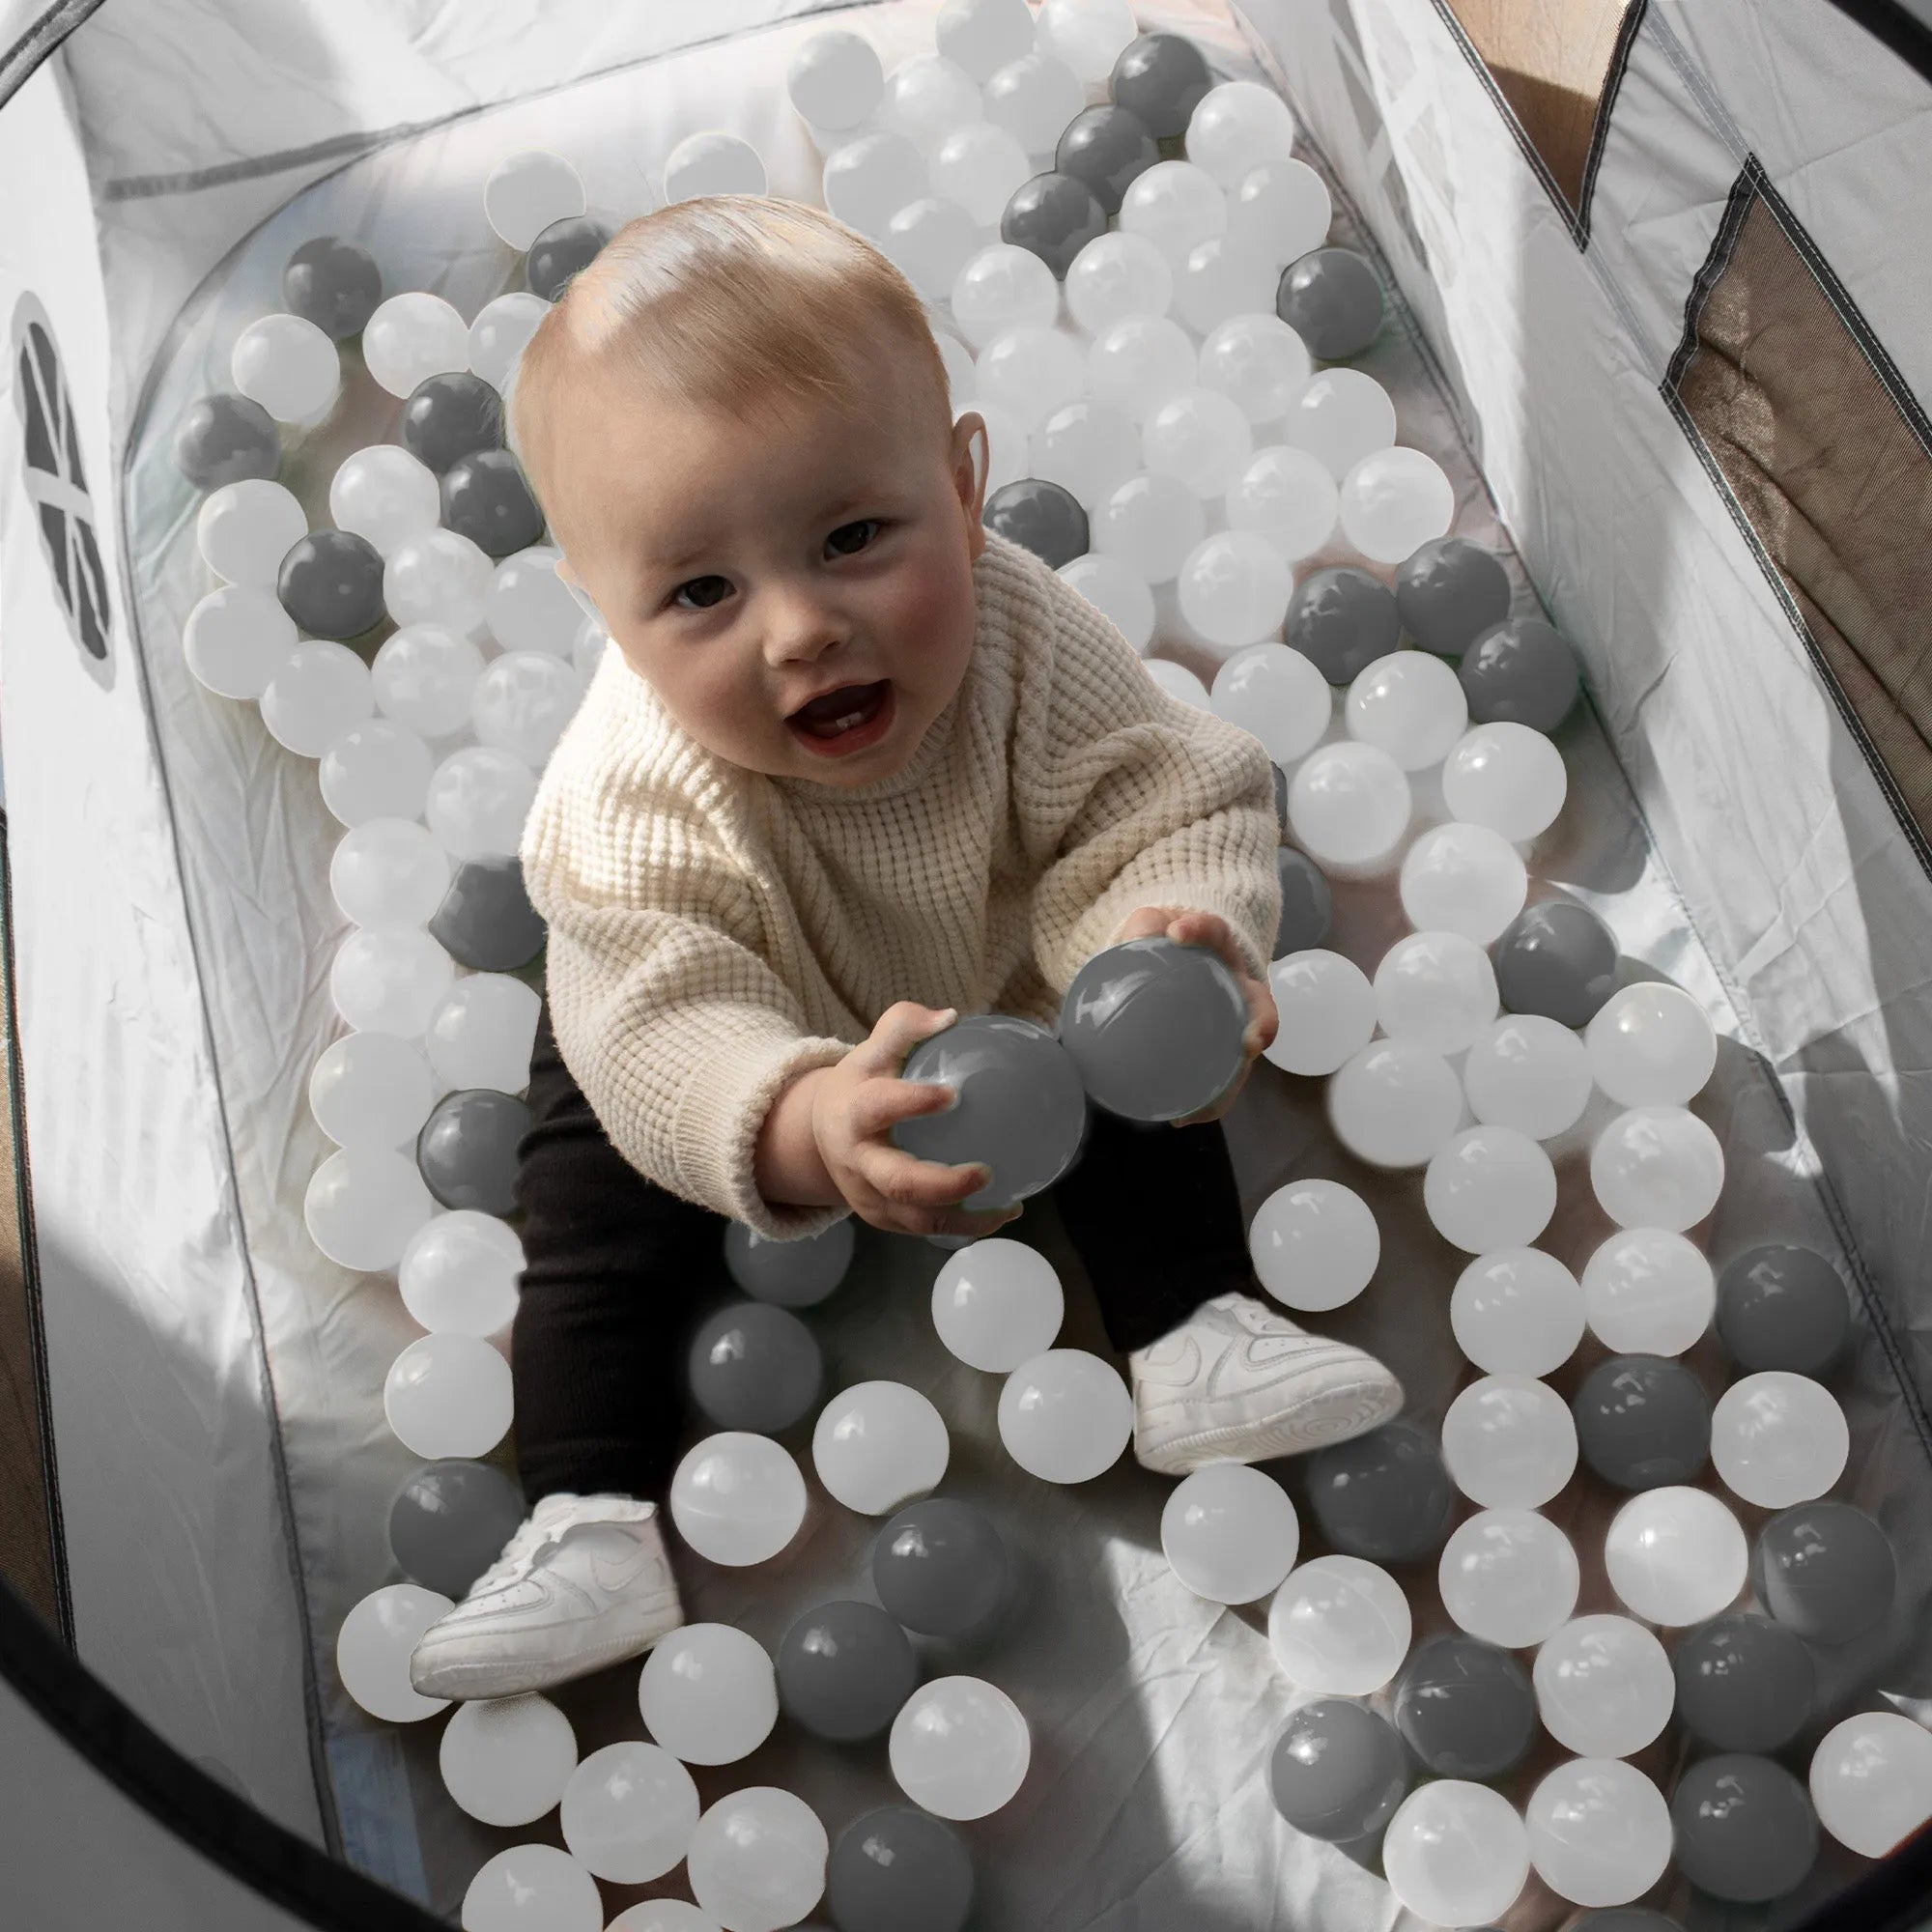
pixel 853 1112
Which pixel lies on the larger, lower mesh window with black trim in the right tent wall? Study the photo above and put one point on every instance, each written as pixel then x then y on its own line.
pixel 1831 465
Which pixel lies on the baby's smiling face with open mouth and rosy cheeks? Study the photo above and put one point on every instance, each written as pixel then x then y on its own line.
pixel 747 569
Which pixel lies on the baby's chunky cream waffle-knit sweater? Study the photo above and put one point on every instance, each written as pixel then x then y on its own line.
pixel 718 932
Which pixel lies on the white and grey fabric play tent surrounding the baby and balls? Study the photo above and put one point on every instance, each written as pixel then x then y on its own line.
pixel 1661 281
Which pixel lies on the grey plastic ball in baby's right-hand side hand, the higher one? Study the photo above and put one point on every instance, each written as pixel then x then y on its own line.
pixel 1154 1029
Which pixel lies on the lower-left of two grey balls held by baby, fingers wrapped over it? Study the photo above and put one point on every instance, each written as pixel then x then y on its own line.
pixel 1021 1106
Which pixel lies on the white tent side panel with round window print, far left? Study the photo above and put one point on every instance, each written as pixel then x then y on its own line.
pixel 185 1599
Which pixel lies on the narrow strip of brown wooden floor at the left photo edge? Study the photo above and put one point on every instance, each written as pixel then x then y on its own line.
pixel 26 1537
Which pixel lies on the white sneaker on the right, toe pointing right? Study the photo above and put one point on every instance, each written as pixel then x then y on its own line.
pixel 1241 1384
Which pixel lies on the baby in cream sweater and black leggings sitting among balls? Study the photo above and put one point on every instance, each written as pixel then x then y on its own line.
pixel 855 764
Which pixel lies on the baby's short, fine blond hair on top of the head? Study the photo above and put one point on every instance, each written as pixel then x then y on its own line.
pixel 745 304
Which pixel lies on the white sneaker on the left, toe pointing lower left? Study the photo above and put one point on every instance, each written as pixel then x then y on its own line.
pixel 582 1585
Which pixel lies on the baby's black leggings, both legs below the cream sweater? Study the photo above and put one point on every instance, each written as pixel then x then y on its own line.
pixel 617 1268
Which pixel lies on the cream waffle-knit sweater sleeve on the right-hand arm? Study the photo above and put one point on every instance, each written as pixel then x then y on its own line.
pixel 1143 801
